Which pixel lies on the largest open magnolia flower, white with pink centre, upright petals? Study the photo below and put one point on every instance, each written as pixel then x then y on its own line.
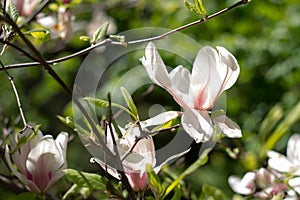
pixel 214 71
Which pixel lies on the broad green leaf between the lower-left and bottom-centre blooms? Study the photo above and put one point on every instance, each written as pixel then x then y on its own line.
pixel 84 179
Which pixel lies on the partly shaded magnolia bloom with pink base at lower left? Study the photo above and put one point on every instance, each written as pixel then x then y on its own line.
pixel 40 161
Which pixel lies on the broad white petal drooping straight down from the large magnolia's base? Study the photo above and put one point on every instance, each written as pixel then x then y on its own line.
pixel 197 124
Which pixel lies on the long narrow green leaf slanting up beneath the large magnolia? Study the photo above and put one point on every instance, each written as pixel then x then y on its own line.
pixel 198 163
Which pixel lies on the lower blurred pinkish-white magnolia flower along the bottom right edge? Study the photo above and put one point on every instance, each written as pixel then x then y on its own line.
pixel 261 183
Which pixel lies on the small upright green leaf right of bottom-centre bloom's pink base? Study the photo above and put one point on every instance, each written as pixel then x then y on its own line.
pixel 155 183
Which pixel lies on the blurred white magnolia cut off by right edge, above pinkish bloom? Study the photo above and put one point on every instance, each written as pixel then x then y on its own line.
pixel 289 163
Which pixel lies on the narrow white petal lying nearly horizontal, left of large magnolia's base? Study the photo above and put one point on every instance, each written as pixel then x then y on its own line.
pixel 160 118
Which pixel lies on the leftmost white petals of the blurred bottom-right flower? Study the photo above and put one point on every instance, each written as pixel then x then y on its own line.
pixel 245 186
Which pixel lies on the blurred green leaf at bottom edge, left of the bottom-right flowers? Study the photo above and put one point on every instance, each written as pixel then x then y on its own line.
pixel 211 193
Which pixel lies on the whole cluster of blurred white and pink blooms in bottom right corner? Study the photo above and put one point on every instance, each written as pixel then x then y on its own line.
pixel 281 179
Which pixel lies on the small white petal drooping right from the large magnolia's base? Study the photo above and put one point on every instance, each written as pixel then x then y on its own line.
pixel 227 126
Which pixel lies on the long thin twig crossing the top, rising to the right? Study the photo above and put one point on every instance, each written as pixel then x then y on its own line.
pixel 110 42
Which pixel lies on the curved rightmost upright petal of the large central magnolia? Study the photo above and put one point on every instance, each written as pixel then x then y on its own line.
pixel 233 70
